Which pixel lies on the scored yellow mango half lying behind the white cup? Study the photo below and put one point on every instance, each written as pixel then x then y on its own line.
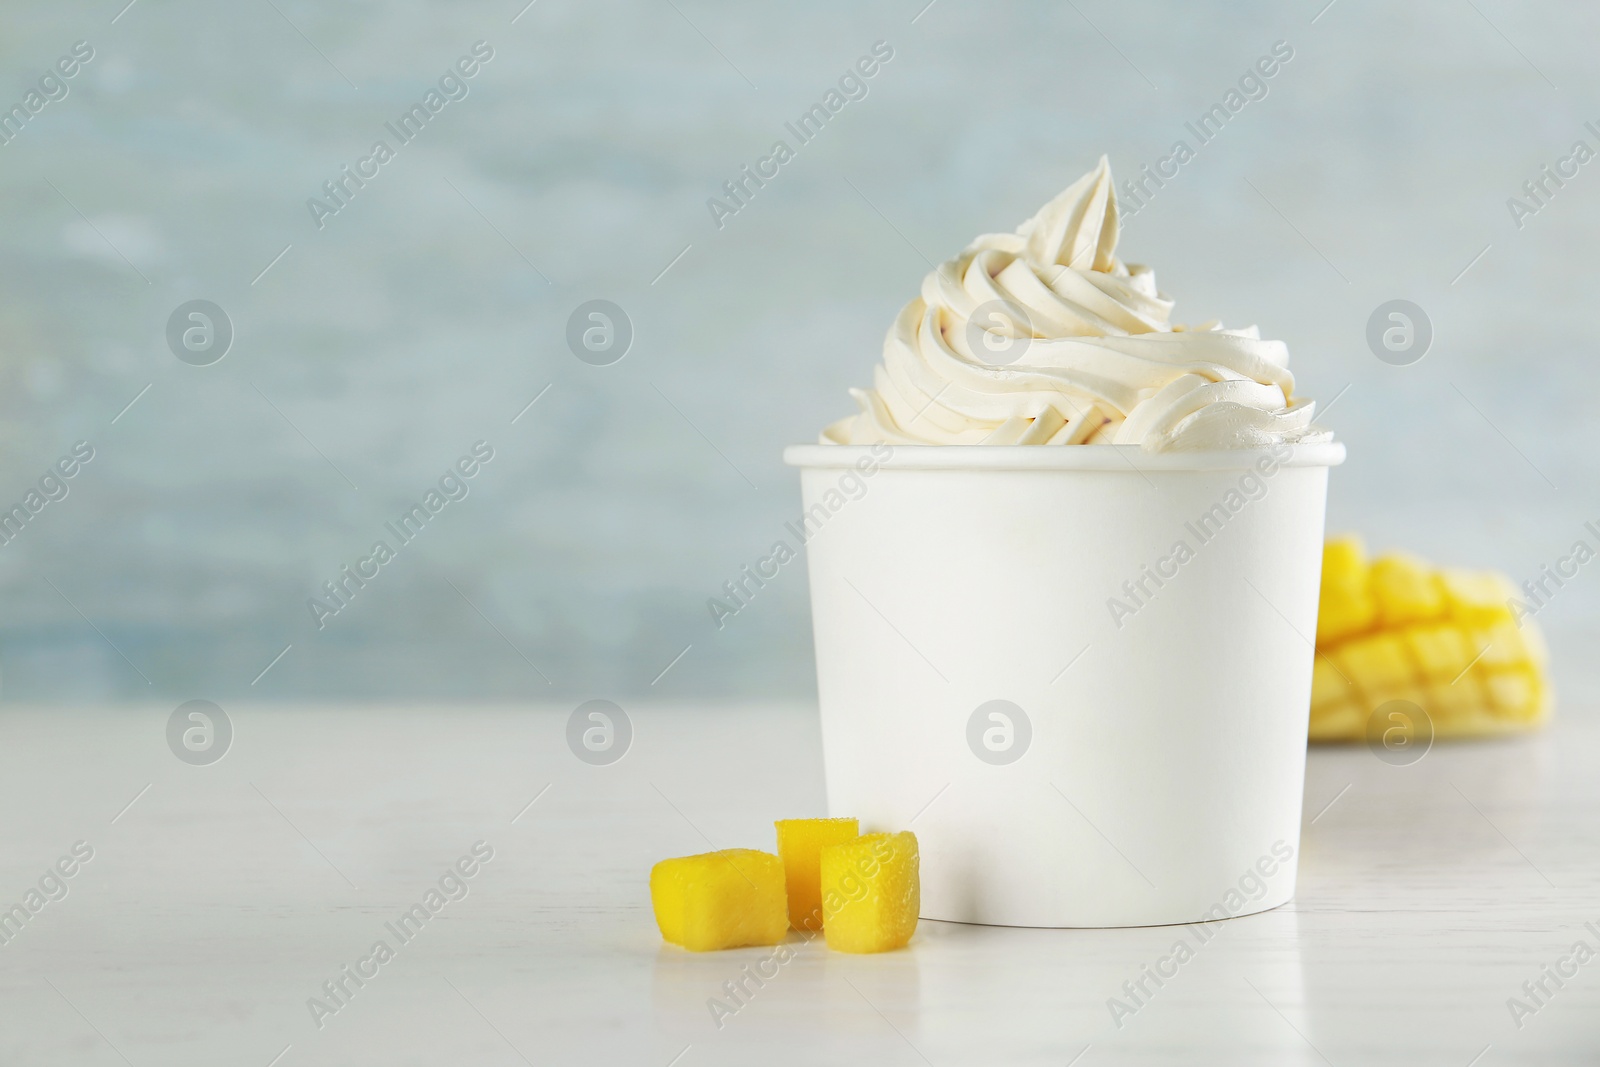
pixel 1447 641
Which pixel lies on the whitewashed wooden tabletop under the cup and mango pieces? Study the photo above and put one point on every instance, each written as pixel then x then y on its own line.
pixel 225 897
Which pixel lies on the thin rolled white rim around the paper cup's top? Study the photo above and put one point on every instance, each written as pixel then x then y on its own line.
pixel 1058 457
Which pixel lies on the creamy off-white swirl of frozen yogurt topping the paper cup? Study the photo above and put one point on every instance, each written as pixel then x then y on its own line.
pixel 1046 338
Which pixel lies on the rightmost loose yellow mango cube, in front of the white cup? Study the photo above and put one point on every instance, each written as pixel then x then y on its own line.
pixel 871 892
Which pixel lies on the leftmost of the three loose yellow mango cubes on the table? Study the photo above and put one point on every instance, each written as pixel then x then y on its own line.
pixel 721 900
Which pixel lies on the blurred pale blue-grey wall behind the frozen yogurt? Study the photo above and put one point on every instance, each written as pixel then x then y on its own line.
pixel 417 321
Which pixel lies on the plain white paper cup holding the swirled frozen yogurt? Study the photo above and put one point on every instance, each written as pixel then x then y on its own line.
pixel 1146 762
